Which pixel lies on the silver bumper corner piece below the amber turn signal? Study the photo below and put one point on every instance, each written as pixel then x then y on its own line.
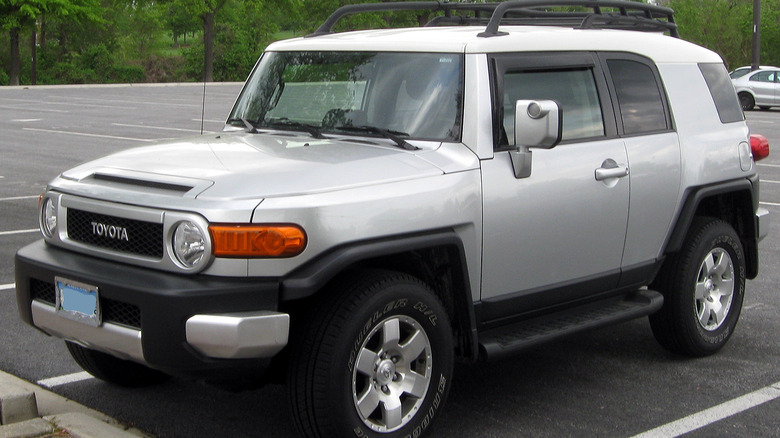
pixel 239 335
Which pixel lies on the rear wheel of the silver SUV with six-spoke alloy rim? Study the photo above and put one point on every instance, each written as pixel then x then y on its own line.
pixel 703 287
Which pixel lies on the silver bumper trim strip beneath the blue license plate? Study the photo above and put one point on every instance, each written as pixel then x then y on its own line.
pixel 113 339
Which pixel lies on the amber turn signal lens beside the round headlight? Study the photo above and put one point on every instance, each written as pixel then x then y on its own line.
pixel 250 240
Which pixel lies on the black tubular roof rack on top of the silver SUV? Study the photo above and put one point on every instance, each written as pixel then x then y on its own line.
pixel 625 15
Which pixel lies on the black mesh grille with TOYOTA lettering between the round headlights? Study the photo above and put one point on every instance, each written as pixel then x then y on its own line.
pixel 118 234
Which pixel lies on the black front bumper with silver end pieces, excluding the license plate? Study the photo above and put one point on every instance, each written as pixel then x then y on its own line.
pixel 181 324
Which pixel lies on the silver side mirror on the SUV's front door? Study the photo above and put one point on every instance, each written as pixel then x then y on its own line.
pixel 538 124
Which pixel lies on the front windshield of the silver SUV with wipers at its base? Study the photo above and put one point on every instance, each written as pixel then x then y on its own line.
pixel 415 95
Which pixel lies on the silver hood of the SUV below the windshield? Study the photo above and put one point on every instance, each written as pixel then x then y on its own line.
pixel 240 165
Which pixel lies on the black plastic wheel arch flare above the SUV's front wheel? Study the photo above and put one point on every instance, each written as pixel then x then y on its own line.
pixel 436 258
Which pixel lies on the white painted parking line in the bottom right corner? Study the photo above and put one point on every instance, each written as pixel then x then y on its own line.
pixel 714 414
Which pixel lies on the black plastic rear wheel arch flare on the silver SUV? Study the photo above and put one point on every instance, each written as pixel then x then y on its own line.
pixel 734 202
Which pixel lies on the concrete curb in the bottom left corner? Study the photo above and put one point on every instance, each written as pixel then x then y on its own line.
pixel 30 411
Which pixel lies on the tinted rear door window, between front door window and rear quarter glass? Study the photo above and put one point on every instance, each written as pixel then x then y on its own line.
pixel 640 100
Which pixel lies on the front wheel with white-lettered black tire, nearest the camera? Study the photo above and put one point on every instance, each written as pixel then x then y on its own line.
pixel 345 378
